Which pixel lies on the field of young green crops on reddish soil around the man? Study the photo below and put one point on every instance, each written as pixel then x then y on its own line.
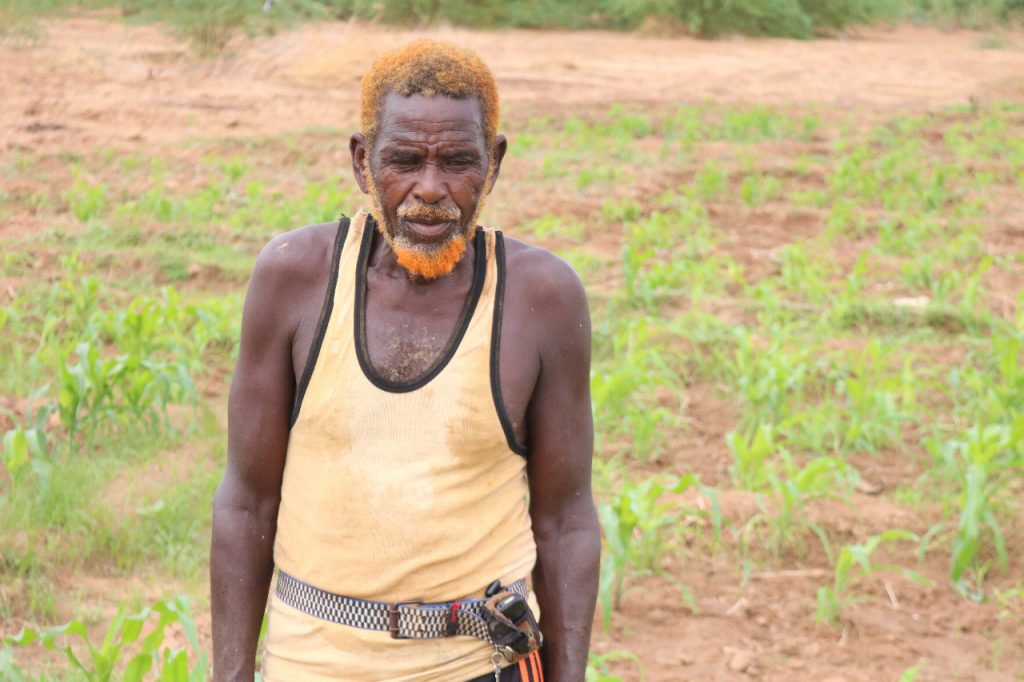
pixel 882 322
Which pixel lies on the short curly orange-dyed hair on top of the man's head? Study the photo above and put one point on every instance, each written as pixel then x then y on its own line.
pixel 430 68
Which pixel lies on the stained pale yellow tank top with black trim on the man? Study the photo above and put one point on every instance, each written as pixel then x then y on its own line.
pixel 396 493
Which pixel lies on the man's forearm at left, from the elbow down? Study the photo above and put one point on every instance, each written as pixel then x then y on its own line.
pixel 241 568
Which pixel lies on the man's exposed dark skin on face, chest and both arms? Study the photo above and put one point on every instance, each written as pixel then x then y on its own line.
pixel 433 151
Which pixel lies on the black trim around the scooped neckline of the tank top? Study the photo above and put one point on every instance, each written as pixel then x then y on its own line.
pixel 362 353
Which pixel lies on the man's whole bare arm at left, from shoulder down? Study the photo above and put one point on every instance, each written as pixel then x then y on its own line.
pixel 245 508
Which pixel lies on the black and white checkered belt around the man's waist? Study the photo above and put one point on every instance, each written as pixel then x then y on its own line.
pixel 405 620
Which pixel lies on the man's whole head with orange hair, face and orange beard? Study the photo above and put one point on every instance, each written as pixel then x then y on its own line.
pixel 429 151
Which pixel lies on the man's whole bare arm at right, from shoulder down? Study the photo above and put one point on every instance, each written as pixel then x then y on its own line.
pixel 562 442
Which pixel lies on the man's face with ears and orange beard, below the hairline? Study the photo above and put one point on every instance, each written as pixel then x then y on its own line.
pixel 428 174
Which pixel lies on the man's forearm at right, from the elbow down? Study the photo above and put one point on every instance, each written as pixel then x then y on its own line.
pixel 566 581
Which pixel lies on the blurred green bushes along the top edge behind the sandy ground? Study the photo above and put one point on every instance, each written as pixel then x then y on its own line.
pixel 210 26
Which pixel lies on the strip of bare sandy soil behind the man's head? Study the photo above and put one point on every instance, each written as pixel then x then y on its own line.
pixel 102 84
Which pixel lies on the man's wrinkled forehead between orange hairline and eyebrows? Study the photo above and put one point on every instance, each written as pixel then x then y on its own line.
pixel 419 116
